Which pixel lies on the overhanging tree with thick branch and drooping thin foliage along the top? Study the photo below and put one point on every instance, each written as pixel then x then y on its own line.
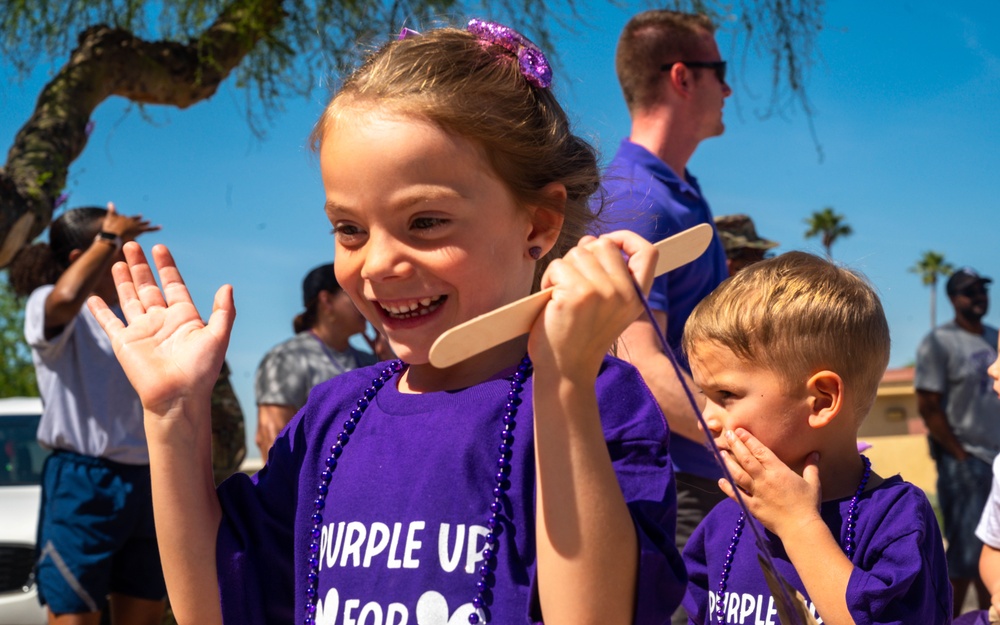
pixel 178 53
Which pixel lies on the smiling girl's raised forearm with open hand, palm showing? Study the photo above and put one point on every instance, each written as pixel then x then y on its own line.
pixel 172 358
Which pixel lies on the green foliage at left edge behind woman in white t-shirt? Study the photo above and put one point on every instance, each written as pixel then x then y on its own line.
pixel 18 379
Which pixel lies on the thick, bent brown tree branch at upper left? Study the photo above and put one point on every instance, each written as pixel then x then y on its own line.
pixel 109 62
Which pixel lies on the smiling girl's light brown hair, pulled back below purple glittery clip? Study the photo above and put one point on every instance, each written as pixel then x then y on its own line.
pixel 475 89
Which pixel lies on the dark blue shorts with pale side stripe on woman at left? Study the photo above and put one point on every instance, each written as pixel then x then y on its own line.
pixel 95 534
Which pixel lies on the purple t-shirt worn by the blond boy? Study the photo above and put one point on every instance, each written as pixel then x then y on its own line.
pixel 900 572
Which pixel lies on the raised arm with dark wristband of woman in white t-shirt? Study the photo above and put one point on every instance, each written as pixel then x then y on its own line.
pixel 87 268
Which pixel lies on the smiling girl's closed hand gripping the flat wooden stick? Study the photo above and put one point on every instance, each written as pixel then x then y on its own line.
pixel 594 299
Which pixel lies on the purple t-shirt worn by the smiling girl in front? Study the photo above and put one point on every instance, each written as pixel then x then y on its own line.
pixel 405 517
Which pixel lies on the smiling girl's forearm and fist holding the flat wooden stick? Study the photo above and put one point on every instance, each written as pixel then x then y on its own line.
pixel 586 540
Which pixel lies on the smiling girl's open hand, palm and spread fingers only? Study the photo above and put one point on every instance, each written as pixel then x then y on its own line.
pixel 168 353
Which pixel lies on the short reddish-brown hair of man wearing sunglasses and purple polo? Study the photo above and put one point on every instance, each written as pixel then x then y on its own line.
pixel 650 40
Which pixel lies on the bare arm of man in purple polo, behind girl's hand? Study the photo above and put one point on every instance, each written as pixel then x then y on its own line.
pixel 640 345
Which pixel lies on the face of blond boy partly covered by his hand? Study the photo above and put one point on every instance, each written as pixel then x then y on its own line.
pixel 739 394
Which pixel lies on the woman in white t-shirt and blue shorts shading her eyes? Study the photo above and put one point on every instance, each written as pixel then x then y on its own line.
pixel 96 522
